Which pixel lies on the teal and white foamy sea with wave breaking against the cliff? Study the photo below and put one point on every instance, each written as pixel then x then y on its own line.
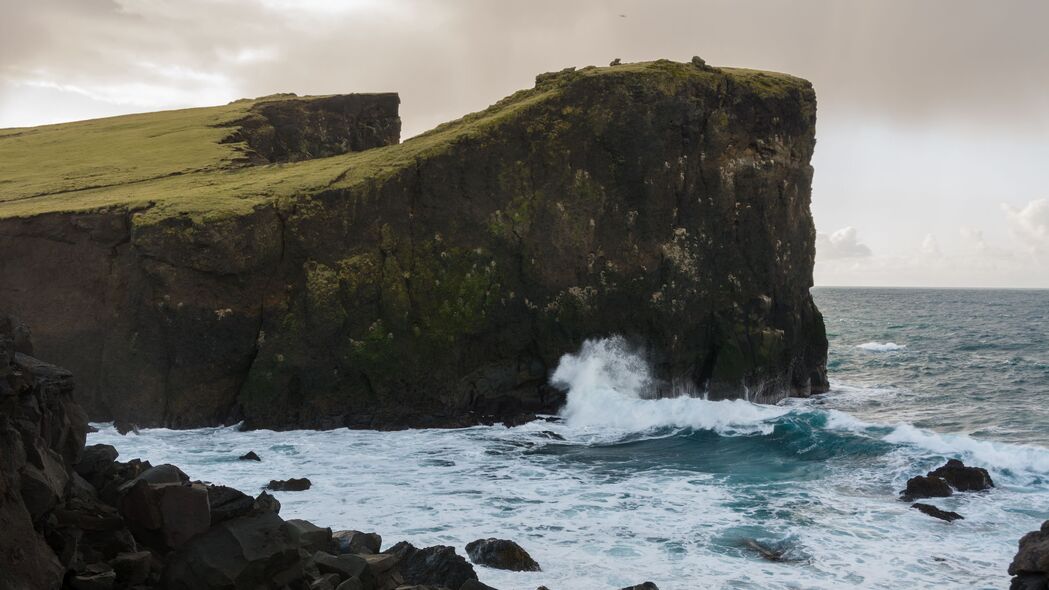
pixel 684 492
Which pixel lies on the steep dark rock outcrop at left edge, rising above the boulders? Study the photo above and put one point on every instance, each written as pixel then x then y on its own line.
pixel 42 430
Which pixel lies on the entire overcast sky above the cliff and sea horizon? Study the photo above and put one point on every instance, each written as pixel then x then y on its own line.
pixel 932 166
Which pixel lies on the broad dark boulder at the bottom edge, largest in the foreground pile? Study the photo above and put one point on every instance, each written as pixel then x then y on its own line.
pixel 244 554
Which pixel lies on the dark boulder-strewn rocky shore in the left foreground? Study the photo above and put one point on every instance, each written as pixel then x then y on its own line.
pixel 76 517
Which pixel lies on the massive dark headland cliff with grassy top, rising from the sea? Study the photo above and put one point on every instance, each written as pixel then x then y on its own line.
pixel 432 283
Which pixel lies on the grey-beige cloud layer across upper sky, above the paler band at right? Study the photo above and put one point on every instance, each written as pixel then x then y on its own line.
pixel 965 60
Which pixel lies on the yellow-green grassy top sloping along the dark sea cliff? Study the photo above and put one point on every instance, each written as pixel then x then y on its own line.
pixel 175 163
